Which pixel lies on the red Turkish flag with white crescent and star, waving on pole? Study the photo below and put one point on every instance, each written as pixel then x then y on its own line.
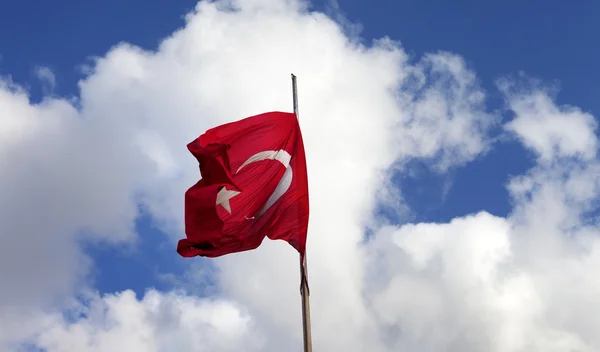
pixel 254 184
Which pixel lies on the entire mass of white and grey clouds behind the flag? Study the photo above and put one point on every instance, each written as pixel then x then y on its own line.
pixel 478 283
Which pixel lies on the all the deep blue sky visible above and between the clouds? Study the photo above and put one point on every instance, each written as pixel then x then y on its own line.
pixel 551 41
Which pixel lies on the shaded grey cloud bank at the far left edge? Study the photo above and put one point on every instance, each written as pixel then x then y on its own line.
pixel 60 176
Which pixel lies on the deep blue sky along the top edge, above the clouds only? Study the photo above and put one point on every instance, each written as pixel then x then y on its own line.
pixel 550 40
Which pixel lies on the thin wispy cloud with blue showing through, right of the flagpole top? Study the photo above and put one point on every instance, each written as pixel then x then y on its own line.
pixel 446 112
